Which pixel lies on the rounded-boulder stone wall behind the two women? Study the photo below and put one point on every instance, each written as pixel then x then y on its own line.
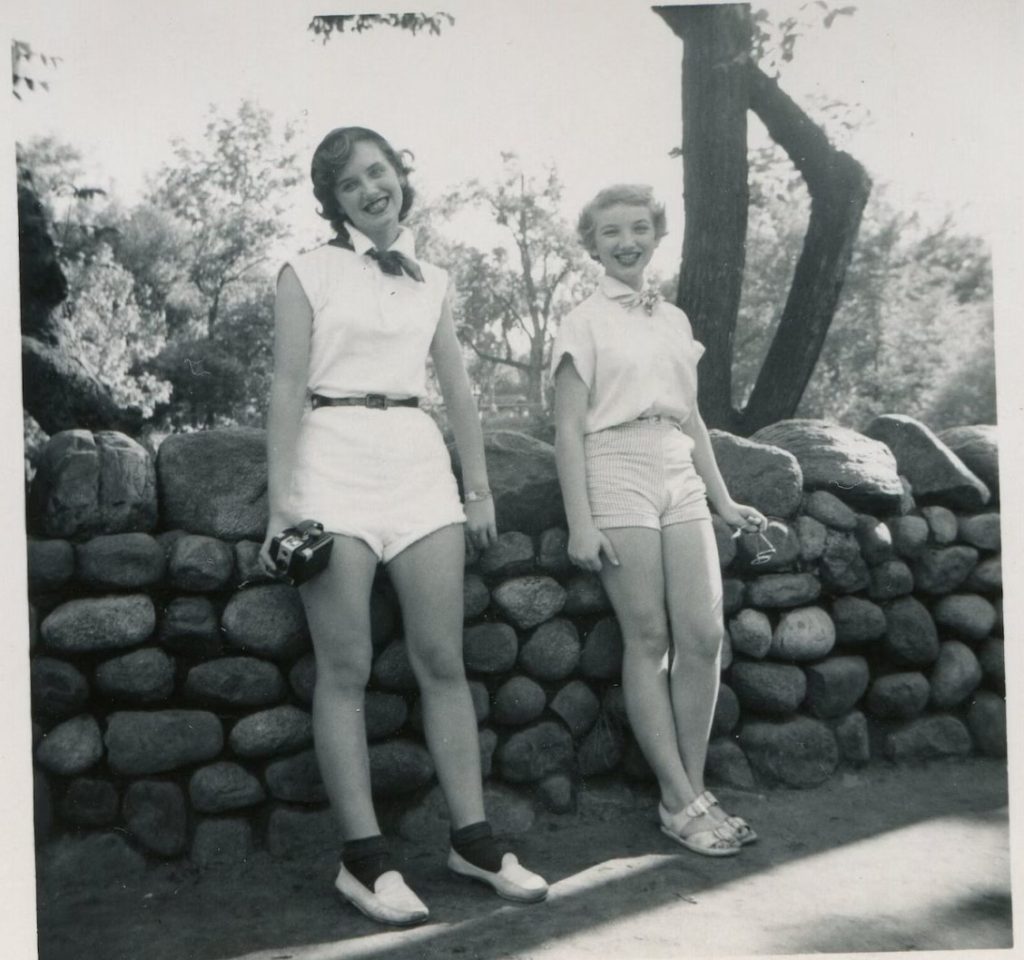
pixel 172 682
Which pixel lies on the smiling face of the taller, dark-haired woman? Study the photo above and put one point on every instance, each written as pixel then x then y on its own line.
pixel 369 192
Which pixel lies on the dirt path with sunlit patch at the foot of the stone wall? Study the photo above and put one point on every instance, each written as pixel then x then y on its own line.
pixel 882 860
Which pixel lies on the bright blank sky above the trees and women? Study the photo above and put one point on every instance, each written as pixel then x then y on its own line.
pixel 593 85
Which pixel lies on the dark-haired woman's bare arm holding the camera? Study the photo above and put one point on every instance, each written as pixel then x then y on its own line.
pixel 292 330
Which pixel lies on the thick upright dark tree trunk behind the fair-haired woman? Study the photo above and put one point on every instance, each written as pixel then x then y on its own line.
pixel 717 41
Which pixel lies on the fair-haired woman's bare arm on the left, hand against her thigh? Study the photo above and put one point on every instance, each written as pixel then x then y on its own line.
pixel 586 542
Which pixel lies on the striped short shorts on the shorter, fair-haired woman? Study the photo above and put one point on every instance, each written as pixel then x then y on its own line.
pixel 642 474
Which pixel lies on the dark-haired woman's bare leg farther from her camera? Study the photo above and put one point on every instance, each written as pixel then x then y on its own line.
pixel 428 577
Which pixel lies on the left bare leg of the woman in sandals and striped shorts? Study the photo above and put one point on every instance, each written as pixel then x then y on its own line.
pixel 636 589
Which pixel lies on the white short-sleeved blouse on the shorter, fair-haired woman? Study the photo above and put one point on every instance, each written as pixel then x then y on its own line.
pixel 635 364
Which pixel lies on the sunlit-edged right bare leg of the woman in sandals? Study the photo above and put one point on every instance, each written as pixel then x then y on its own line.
pixel 694 593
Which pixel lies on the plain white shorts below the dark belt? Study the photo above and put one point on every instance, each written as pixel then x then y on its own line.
pixel 382 476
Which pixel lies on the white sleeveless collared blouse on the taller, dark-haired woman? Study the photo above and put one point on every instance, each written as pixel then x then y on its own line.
pixel 372 332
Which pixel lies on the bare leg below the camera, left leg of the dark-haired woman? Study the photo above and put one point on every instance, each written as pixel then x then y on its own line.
pixel 337 606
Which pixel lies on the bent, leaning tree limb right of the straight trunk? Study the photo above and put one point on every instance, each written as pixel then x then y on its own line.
pixel 839 189
